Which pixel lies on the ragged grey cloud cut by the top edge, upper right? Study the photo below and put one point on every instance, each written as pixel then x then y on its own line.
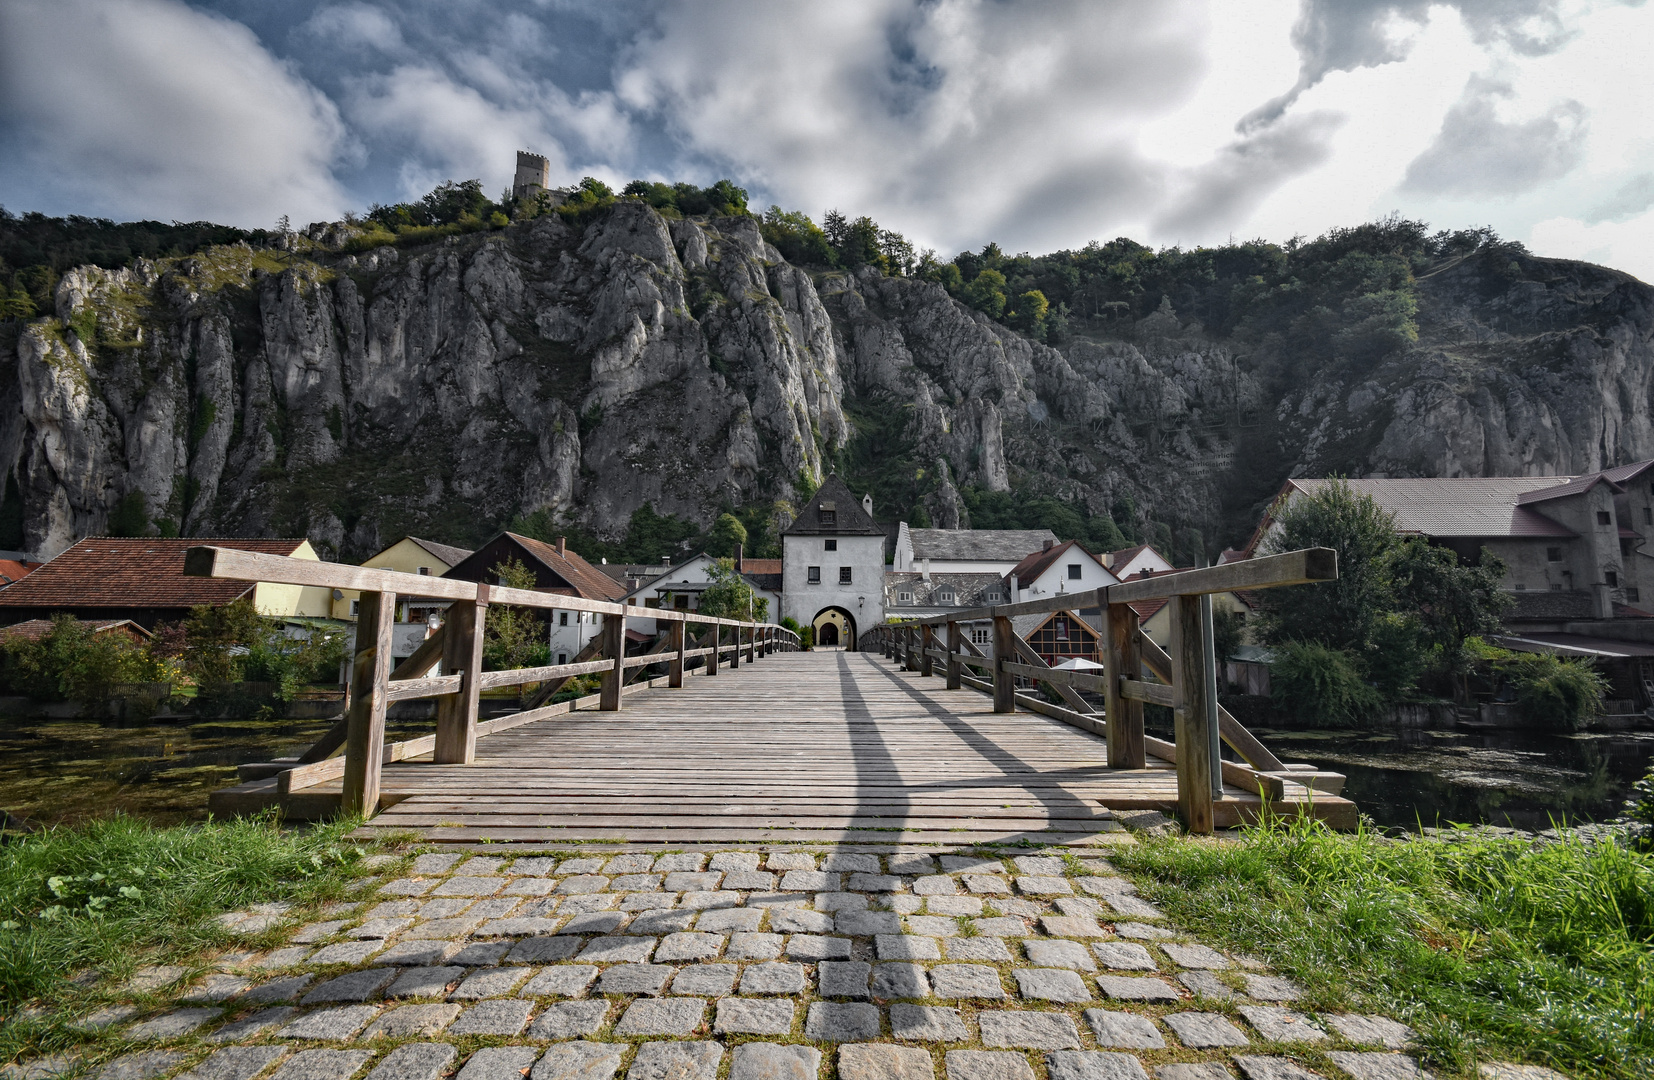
pixel 1344 36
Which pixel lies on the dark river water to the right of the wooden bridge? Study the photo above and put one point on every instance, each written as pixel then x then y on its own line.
pixel 1506 778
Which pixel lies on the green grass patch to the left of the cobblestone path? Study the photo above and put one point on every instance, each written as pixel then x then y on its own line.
pixel 118 892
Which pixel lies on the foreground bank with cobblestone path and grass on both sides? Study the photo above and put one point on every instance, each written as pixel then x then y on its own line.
pixel 1484 950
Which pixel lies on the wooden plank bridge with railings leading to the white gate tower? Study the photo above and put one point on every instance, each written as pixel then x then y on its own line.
pixel 743 738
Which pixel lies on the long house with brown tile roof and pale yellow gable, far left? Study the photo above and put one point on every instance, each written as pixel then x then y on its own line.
pixel 143 580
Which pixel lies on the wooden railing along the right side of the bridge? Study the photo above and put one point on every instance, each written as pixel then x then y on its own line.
pixel 1187 674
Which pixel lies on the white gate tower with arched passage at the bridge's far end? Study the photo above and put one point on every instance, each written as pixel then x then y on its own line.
pixel 833 560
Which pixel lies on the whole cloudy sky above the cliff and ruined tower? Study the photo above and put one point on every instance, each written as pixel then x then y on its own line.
pixel 1040 127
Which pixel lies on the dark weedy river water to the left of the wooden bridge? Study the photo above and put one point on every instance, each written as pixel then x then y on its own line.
pixel 57 772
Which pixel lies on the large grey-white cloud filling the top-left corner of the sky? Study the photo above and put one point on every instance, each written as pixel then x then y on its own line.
pixel 150 108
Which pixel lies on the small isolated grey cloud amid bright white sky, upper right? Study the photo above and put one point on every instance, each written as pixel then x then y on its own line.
pixel 1476 153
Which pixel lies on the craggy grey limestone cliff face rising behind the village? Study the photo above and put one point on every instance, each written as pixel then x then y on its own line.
pixel 588 371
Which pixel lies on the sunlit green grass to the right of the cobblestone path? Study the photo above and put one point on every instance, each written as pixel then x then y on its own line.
pixel 1493 950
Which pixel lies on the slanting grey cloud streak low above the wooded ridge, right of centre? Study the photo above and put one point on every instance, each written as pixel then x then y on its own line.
pixel 1226 191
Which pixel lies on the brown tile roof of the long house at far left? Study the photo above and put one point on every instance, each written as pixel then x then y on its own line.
pixel 103 571
